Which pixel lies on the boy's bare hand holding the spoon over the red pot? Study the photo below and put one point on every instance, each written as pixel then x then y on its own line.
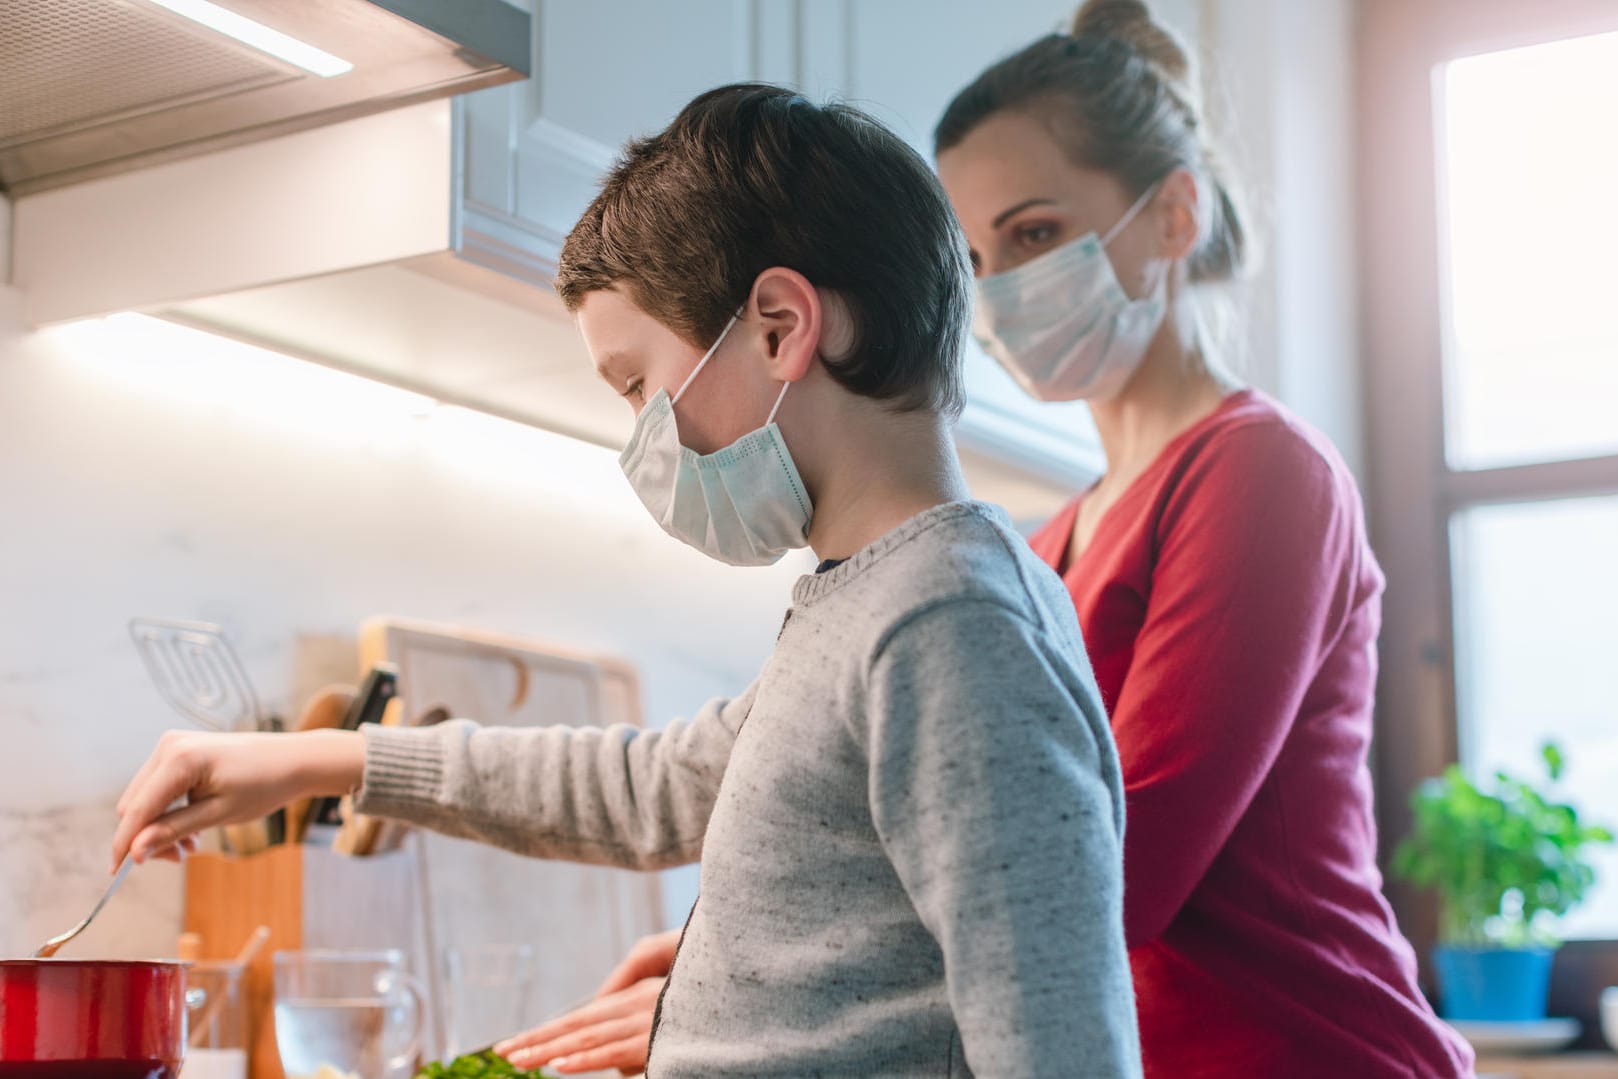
pixel 227 779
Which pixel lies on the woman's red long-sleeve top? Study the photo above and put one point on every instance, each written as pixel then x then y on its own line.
pixel 1230 606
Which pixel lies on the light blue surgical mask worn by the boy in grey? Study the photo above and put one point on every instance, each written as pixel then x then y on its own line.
pixel 743 506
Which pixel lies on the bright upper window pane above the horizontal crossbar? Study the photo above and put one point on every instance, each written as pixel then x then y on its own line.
pixel 1528 179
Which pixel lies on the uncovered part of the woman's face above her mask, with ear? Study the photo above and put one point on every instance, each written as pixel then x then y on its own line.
pixel 1019 197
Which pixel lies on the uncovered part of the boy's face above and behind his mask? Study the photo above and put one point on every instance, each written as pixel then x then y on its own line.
pixel 637 357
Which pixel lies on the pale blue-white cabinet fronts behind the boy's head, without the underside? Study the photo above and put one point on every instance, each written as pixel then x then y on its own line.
pixel 535 153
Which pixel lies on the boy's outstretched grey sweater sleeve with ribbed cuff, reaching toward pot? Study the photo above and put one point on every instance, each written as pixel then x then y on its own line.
pixel 612 797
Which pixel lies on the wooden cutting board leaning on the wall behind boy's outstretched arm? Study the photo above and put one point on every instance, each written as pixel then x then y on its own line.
pixel 580 920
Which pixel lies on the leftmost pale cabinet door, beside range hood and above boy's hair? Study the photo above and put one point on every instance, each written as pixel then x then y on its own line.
pixel 532 154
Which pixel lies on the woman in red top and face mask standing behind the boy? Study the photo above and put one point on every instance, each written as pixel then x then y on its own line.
pixel 1221 573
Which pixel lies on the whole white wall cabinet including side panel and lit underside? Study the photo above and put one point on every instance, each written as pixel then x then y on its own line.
pixel 418 247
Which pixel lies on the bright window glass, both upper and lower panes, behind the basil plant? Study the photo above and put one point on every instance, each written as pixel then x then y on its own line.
pixel 1527 176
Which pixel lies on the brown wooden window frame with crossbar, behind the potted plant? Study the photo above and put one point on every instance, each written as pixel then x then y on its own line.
pixel 1412 491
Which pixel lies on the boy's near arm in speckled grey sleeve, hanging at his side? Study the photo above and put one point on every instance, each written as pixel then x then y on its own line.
pixel 989 756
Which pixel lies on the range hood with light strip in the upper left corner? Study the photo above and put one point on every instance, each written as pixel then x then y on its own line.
pixel 91 88
